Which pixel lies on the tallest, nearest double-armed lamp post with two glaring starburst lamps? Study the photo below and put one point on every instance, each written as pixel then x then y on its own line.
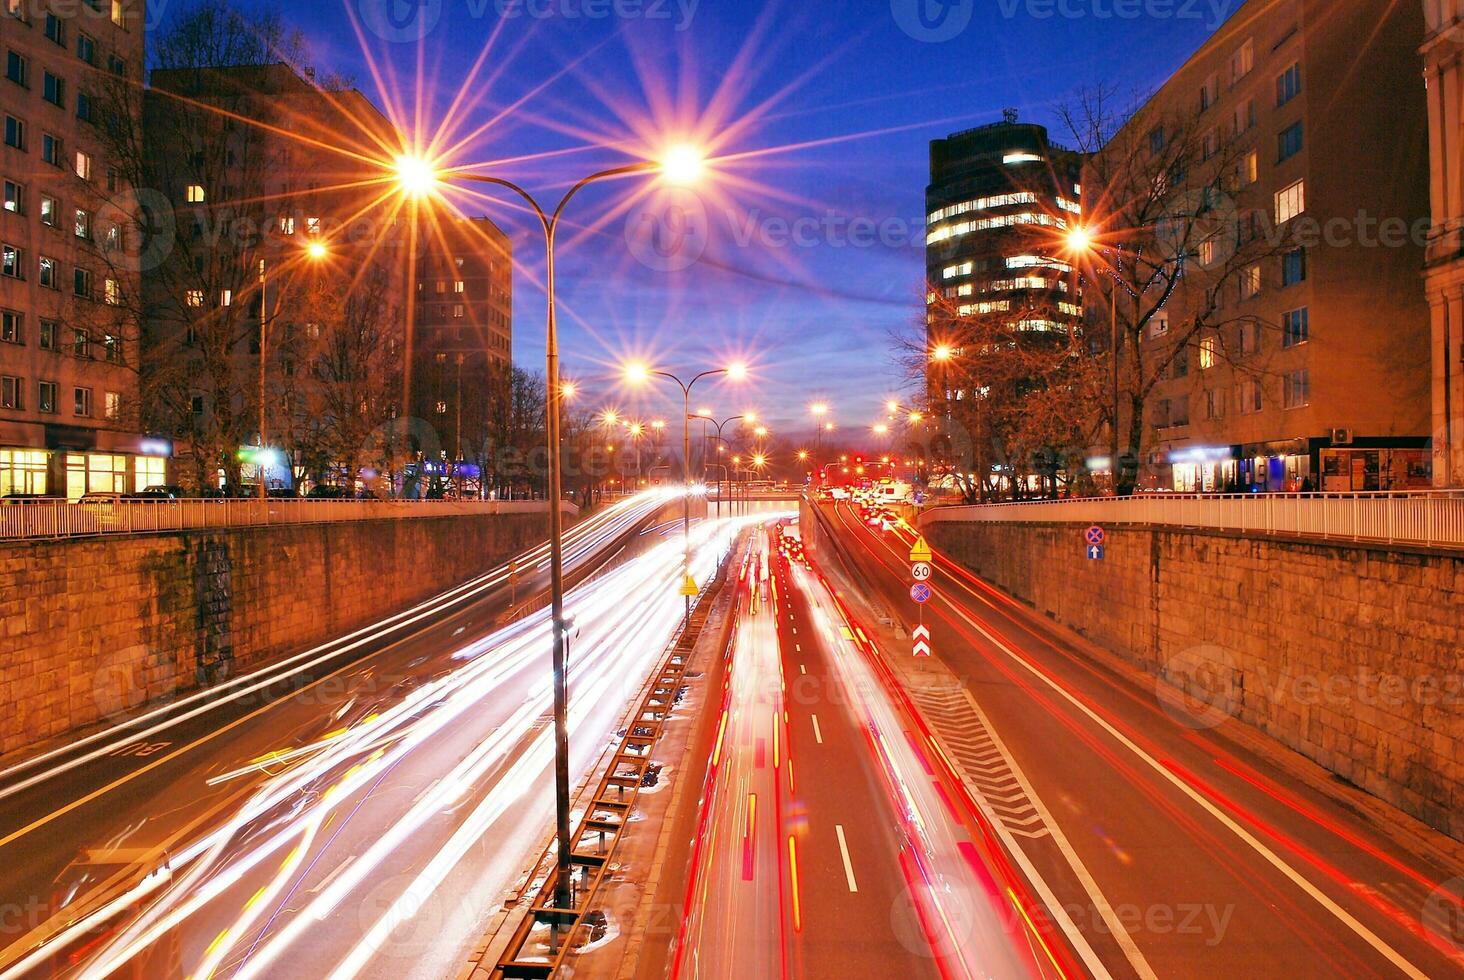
pixel 419 178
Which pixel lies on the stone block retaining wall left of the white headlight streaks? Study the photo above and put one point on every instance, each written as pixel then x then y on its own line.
pixel 99 626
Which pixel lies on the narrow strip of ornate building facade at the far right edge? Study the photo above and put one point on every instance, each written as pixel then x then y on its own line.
pixel 1444 84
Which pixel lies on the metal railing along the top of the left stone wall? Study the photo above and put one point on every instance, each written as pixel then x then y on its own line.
pixel 62 519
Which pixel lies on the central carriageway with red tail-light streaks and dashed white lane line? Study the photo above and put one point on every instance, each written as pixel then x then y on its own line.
pixel 828 844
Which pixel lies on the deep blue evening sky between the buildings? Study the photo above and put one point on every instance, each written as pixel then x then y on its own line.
pixel 804 251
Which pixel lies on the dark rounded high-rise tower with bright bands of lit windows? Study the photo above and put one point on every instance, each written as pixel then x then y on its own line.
pixel 996 207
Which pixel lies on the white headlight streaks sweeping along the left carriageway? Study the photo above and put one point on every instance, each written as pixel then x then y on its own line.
pixel 624 619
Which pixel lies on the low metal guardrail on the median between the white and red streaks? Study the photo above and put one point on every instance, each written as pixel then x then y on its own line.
pixel 548 934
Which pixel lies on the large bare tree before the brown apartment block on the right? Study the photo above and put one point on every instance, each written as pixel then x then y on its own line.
pixel 1175 251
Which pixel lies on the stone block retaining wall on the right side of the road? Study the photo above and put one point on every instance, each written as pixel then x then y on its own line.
pixel 1351 656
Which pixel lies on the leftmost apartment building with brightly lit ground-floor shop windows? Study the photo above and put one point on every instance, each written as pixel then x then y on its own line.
pixel 70 342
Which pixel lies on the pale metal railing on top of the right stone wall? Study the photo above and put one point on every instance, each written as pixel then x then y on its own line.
pixel 1421 518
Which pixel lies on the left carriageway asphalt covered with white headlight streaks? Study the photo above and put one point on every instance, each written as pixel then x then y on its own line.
pixel 377 798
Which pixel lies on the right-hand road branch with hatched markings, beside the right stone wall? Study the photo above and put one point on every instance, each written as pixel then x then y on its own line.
pixel 1165 847
